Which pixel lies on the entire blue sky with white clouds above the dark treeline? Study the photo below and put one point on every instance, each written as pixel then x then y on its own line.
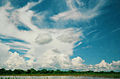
pixel 60 34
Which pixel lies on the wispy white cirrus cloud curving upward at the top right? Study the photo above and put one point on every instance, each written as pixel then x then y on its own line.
pixel 75 13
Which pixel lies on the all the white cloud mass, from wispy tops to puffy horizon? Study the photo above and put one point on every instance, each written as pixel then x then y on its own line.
pixel 48 47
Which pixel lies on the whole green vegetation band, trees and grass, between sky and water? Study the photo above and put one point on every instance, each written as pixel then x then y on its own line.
pixel 44 72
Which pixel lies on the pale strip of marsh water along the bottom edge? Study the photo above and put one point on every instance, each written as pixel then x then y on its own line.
pixel 52 77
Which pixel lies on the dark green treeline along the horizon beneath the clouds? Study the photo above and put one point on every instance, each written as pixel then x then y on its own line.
pixel 49 72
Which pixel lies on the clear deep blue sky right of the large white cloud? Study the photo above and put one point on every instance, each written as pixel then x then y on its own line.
pixel 103 40
